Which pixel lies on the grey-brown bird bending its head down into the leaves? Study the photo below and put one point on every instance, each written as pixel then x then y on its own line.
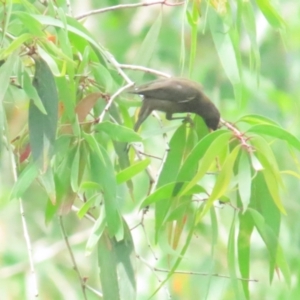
pixel 175 95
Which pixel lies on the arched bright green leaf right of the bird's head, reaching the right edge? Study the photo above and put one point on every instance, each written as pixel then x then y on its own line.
pixel 277 132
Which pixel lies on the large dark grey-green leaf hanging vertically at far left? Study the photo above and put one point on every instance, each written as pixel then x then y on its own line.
pixel 42 128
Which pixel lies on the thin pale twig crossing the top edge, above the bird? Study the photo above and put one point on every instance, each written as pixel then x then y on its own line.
pixel 125 6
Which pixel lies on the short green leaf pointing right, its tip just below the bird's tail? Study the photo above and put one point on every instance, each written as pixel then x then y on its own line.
pixel 119 133
